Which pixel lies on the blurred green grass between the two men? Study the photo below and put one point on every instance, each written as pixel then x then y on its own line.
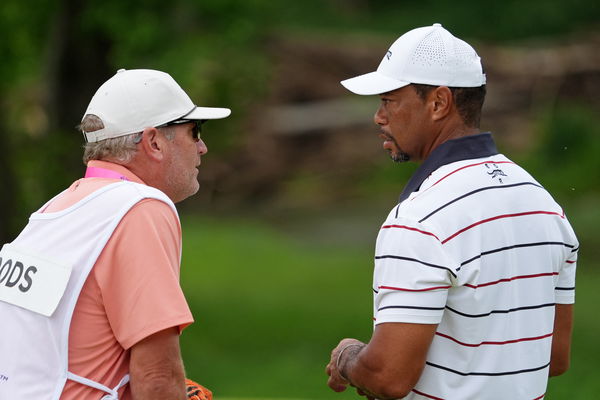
pixel 268 308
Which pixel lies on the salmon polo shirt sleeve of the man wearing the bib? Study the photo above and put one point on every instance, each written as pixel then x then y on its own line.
pixel 140 288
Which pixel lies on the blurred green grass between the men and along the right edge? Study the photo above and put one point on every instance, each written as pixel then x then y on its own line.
pixel 270 303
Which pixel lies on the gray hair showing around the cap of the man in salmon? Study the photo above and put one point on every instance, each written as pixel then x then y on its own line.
pixel 120 150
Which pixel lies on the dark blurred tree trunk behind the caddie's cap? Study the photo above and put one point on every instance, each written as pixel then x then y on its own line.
pixel 76 60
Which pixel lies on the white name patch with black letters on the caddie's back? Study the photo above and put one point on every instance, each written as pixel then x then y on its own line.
pixel 31 282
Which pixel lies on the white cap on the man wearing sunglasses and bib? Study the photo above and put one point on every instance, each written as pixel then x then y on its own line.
pixel 133 100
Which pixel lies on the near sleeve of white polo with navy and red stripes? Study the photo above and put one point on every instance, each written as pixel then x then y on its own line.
pixel 412 274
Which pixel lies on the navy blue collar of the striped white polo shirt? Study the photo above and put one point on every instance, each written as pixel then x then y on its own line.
pixel 462 148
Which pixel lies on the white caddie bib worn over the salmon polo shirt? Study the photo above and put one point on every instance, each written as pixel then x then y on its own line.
pixel 41 275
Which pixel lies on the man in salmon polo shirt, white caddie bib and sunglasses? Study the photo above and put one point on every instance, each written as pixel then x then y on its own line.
pixel 89 291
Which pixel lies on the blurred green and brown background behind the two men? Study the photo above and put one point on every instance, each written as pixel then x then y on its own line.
pixel 278 244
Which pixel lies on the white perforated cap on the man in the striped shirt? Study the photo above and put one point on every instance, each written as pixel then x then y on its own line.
pixel 430 55
